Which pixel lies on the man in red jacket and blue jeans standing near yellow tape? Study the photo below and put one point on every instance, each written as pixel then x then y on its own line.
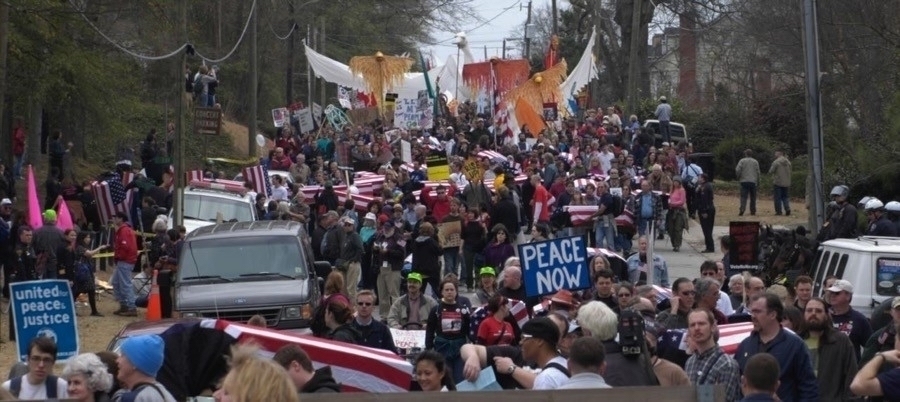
pixel 125 255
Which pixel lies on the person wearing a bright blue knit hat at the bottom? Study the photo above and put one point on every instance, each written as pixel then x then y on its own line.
pixel 140 358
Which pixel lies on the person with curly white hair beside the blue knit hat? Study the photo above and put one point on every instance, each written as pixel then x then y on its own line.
pixel 88 378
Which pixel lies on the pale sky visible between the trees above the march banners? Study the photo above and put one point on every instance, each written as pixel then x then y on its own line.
pixel 498 19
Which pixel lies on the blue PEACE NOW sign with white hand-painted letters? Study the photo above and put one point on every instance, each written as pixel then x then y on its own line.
pixel 551 265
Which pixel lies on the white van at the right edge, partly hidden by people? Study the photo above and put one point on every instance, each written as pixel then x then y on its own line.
pixel 870 263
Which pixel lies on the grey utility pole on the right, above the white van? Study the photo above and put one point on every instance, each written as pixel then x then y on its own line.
pixel 813 116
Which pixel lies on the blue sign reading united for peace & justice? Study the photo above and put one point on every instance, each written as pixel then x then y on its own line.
pixel 44 308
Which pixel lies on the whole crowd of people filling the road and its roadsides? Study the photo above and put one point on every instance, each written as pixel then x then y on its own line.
pixel 620 332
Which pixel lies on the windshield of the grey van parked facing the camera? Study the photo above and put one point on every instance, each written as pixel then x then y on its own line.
pixel 243 258
